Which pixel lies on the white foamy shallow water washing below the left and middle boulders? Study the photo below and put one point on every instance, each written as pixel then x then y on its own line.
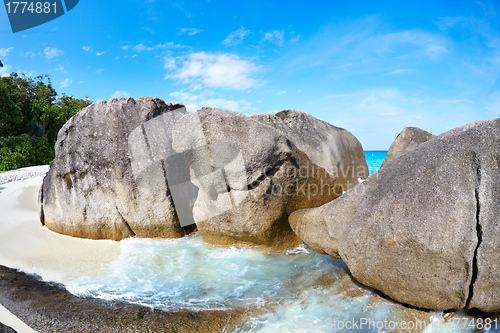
pixel 187 273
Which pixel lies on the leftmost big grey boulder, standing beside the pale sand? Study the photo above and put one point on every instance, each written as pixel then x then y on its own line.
pixel 106 181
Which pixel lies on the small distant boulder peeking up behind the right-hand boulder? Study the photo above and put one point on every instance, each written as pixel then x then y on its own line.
pixel 408 139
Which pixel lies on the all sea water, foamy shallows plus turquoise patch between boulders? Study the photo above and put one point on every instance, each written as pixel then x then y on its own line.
pixel 304 291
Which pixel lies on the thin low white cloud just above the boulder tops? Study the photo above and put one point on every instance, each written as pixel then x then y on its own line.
pixel 195 102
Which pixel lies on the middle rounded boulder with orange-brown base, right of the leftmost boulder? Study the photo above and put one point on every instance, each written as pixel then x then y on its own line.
pixel 251 176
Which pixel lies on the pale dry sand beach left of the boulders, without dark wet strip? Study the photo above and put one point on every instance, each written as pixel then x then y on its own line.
pixel 26 245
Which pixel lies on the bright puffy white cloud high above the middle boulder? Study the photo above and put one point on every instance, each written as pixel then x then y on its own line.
pixel 225 70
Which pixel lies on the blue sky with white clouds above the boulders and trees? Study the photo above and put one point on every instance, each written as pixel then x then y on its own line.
pixel 371 67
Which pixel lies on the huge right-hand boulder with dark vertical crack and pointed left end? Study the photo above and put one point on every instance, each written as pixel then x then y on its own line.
pixel 424 229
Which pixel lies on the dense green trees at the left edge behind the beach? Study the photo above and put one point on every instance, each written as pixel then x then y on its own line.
pixel 31 115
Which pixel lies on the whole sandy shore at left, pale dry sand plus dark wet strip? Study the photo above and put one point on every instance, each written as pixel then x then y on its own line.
pixel 27 246
